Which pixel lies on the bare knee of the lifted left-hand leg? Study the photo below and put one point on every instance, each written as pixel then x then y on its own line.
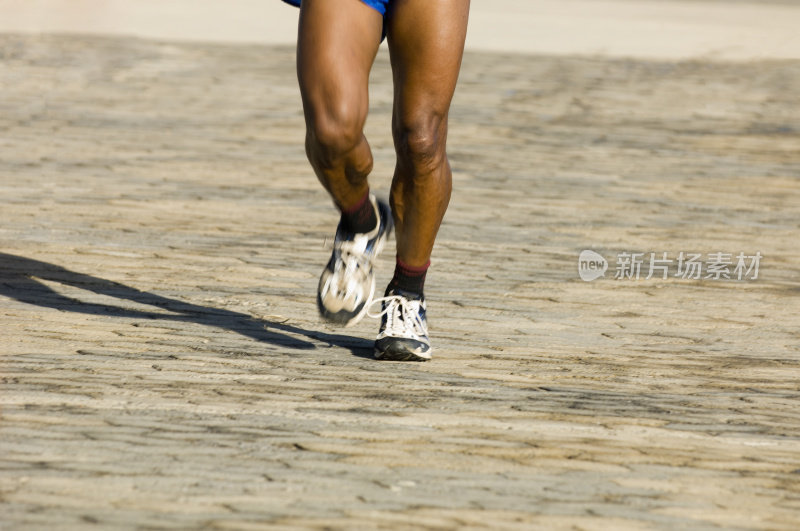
pixel 334 131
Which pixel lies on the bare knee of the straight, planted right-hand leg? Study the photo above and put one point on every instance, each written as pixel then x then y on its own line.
pixel 420 142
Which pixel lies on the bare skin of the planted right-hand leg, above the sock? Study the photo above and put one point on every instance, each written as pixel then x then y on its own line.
pixel 426 43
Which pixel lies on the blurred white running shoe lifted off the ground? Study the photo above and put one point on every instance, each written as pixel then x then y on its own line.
pixel 347 283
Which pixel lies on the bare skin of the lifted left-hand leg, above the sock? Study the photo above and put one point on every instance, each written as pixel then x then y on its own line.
pixel 336 46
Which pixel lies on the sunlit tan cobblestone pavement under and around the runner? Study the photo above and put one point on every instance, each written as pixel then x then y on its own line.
pixel 163 365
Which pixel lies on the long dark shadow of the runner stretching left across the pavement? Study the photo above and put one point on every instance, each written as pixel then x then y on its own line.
pixel 20 279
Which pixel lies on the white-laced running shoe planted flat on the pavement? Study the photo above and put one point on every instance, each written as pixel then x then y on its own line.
pixel 403 335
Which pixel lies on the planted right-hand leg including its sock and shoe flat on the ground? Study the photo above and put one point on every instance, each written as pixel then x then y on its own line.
pixel 426 42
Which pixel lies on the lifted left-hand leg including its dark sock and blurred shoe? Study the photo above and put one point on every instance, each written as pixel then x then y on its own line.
pixel 337 43
